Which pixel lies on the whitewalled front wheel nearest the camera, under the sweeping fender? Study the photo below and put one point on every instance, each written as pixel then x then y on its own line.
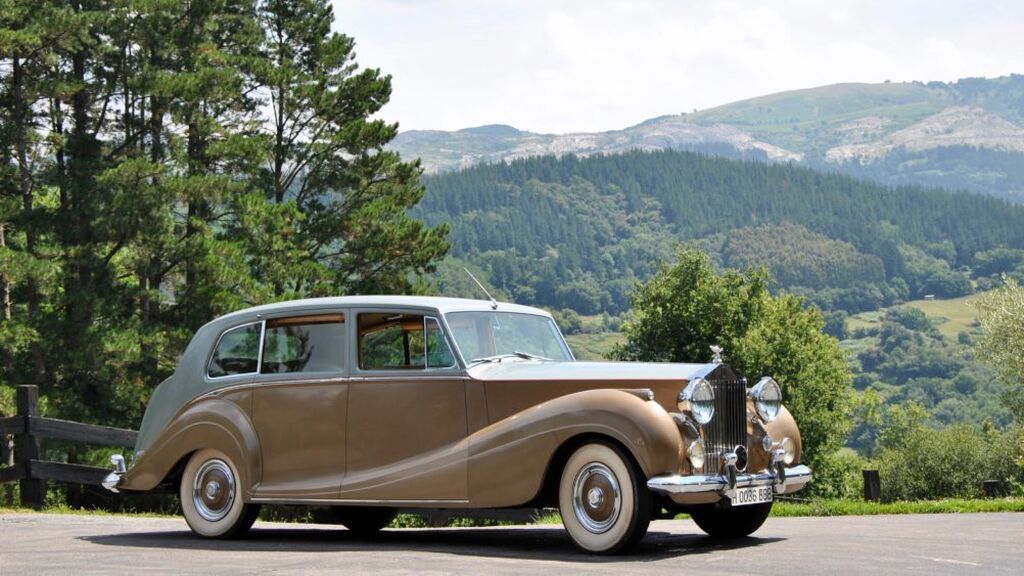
pixel 605 504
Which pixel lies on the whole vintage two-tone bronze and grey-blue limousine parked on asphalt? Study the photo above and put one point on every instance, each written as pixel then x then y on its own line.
pixel 370 404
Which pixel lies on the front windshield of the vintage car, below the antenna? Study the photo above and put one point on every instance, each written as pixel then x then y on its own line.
pixel 485 335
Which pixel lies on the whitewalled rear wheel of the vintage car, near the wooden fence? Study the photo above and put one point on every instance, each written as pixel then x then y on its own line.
pixel 211 497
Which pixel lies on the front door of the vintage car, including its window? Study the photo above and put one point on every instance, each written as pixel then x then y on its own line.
pixel 407 410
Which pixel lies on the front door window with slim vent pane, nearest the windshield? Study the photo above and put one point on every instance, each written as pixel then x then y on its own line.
pixel 402 342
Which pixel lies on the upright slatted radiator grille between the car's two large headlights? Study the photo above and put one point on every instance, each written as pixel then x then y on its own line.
pixel 728 428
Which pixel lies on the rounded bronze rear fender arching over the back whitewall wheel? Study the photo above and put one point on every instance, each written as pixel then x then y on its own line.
pixel 206 424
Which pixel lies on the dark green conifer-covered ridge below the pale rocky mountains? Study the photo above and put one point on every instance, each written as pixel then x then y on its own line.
pixel 578 233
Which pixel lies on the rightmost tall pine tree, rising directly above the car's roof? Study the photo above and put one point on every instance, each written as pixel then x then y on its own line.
pixel 336 219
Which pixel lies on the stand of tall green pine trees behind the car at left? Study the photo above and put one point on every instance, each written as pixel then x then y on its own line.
pixel 144 191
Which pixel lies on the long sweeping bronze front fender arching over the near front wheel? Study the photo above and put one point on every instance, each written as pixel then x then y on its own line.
pixel 508 461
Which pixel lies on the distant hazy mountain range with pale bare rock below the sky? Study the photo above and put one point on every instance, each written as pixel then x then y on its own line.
pixel 967 135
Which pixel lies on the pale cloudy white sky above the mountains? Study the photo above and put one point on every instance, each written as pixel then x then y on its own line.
pixel 566 66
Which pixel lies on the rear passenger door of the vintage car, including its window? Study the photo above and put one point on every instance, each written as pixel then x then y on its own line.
pixel 301 402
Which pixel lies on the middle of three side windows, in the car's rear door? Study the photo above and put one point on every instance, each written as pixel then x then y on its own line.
pixel 307 344
